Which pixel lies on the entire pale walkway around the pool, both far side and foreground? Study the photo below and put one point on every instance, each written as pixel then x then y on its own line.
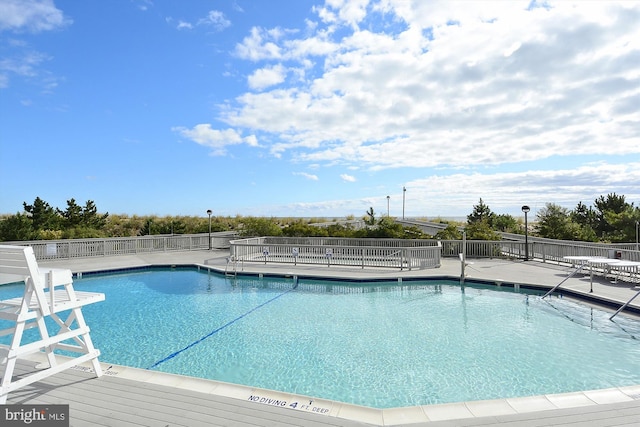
pixel 129 396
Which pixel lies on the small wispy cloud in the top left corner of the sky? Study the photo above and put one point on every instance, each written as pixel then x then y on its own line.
pixel 31 15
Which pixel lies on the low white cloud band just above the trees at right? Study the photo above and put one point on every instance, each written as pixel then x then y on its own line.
pixel 504 193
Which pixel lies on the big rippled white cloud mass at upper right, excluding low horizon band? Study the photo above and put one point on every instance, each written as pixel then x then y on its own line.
pixel 455 83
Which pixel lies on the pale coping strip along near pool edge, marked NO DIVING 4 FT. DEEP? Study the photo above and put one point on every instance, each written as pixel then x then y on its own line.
pixel 365 414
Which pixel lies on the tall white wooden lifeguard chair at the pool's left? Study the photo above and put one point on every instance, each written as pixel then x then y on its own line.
pixel 47 293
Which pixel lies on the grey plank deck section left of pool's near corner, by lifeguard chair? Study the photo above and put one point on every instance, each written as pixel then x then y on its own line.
pixel 113 401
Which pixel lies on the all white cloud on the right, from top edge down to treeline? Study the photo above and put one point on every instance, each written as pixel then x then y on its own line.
pixel 452 91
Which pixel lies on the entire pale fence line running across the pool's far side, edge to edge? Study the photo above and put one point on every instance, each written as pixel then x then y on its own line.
pixel 401 253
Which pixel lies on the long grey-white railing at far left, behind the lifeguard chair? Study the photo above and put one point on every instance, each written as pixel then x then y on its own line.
pixel 87 248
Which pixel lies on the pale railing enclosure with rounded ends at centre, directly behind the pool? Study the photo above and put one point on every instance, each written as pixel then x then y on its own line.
pixel 339 251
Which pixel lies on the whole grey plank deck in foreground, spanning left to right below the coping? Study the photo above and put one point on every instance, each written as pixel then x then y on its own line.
pixel 121 402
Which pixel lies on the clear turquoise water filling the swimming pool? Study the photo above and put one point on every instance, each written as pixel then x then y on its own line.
pixel 378 344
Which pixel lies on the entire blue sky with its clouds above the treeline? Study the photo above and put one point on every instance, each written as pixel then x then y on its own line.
pixel 318 108
